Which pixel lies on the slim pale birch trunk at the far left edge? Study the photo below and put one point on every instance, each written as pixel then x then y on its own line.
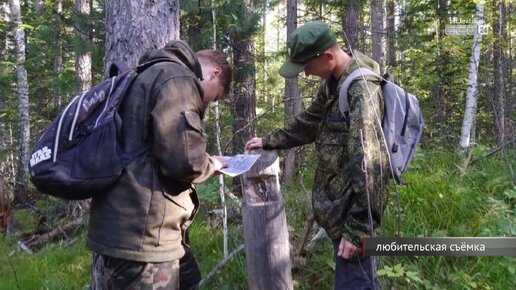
pixel 22 178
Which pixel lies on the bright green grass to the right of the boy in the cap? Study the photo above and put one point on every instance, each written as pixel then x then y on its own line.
pixel 446 197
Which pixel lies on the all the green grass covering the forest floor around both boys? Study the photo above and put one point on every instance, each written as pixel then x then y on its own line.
pixel 446 196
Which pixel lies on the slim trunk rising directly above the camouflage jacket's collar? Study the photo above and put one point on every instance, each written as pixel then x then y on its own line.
pixel 377 32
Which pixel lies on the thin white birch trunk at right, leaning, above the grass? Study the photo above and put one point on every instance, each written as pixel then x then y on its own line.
pixel 471 99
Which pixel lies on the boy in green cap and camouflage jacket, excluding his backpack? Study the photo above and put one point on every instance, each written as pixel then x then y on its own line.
pixel 350 183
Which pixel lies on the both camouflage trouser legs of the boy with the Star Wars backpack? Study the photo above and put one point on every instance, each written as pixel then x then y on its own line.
pixel 109 273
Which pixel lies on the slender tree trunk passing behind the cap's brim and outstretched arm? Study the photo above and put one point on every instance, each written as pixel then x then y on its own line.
pixel 292 100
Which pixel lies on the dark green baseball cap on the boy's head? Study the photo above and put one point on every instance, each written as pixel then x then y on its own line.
pixel 306 42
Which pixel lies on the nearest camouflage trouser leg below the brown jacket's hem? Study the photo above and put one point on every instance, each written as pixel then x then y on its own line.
pixel 117 274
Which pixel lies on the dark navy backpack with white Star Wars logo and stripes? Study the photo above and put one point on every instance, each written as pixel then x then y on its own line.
pixel 79 153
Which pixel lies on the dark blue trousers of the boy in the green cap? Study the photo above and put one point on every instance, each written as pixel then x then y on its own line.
pixel 357 273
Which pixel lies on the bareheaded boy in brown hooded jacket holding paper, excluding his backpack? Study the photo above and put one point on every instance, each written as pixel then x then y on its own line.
pixel 137 228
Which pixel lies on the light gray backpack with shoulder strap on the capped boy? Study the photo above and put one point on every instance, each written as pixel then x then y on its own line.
pixel 402 123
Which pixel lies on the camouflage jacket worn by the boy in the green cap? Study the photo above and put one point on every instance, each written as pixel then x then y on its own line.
pixel 352 159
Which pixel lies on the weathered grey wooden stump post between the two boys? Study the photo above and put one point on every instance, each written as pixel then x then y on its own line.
pixel 265 226
